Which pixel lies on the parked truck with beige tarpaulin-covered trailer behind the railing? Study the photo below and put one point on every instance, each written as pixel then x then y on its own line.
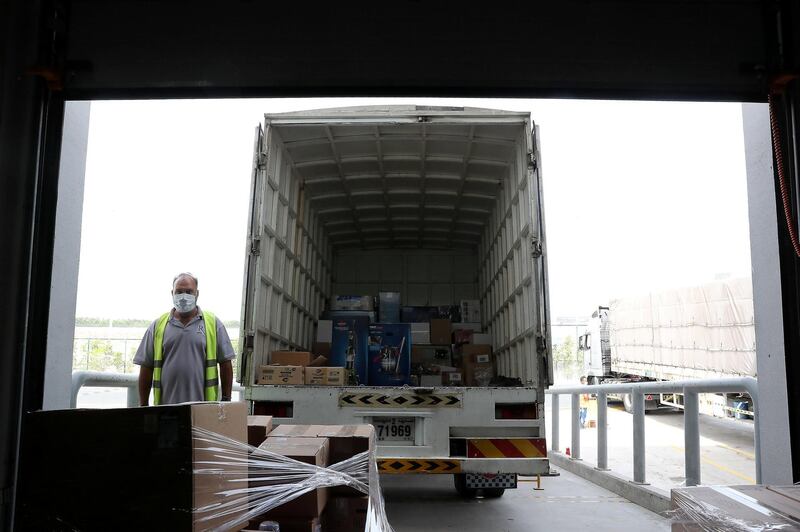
pixel 702 331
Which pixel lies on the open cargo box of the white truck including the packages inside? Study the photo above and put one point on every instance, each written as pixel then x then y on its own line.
pixel 394 248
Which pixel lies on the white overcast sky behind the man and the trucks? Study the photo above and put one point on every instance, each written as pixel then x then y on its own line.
pixel 638 196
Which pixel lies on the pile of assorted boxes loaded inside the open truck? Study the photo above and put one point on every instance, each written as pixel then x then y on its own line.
pixel 443 346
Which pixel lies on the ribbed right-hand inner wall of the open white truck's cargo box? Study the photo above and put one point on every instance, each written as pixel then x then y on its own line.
pixel 506 277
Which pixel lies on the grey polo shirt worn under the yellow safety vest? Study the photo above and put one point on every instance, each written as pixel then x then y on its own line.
pixel 183 369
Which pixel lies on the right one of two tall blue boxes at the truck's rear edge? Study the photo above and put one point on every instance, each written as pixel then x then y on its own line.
pixel 389 354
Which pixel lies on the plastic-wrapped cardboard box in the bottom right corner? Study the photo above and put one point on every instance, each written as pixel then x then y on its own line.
pixel 736 507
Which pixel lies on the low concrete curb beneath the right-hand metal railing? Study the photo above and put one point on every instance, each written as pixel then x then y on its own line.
pixel 647 497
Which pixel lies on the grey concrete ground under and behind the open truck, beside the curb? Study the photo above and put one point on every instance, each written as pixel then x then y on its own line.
pixel 566 502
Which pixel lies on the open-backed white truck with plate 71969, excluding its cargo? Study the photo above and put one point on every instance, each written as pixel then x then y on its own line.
pixel 439 204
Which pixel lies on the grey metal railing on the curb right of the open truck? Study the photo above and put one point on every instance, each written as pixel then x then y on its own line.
pixel 691 422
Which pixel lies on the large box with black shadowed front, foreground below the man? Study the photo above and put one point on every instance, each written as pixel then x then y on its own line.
pixel 130 468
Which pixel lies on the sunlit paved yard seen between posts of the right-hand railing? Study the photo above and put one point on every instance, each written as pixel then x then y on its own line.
pixel 726 446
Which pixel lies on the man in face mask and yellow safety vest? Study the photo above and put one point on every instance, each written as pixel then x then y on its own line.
pixel 185 353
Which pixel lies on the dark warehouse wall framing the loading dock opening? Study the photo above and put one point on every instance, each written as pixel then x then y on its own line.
pixel 53 50
